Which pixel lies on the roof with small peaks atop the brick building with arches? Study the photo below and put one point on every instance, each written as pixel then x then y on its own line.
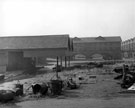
pixel 98 39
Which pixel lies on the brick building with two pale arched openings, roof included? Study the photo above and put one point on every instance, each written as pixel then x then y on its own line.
pixel 100 47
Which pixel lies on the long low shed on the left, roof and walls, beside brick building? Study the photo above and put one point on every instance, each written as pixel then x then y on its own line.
pixel 20 52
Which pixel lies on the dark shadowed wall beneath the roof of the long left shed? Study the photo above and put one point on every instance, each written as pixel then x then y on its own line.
pixel 24 59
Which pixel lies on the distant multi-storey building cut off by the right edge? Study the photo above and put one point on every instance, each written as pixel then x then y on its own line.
pixel 128 48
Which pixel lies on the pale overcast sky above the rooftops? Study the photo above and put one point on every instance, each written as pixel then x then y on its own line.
pixel 78 18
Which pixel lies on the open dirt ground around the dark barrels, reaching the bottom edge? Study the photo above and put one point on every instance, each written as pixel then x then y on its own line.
pixel 101 91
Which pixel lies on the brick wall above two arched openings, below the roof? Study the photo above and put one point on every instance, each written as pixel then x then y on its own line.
pixel 109 50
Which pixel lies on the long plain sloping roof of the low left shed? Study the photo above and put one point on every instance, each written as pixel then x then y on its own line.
pixel 33 42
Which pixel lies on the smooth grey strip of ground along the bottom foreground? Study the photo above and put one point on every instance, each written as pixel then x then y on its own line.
pixel 75 103
